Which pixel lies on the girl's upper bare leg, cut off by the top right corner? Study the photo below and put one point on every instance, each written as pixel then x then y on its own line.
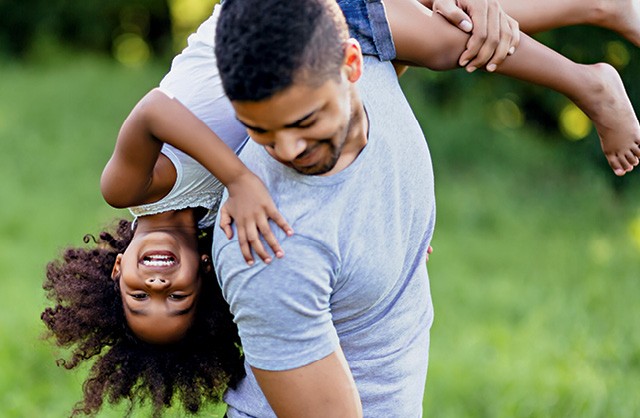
pixel 622 16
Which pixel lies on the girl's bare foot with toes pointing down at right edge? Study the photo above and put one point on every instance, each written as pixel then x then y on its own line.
pixel 607 104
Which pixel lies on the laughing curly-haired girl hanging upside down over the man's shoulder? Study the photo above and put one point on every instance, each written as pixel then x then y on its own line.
pixel 115 320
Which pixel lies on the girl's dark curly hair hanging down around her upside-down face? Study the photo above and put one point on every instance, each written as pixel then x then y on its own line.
pixel 87 317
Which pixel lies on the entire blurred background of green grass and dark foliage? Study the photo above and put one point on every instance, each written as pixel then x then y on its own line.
pixel 536 269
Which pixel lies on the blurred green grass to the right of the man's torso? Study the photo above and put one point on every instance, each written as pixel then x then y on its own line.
pixel 534 275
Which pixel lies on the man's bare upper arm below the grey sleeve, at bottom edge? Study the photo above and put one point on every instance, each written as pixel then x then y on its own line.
pixel 324 388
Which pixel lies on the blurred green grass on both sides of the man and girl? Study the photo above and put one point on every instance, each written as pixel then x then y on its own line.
pixel 535 274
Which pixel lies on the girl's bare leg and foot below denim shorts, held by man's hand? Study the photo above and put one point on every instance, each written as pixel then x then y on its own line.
pixel 428 40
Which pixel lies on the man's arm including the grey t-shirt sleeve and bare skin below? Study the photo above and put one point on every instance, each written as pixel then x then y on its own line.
pixel 283 312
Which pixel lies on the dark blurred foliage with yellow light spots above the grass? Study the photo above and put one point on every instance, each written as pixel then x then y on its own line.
pixel 134 31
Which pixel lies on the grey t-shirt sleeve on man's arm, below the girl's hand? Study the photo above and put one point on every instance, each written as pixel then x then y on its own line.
pixel 282 309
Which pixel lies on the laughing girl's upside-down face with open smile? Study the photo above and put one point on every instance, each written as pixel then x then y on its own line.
pixel 159 276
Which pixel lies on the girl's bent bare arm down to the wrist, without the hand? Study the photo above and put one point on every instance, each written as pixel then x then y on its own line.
pixel 134 175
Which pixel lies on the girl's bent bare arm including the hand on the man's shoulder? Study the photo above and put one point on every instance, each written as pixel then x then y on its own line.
pixel 134 175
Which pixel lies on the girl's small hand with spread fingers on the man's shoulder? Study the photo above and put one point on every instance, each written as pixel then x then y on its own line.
pixel 250 206
